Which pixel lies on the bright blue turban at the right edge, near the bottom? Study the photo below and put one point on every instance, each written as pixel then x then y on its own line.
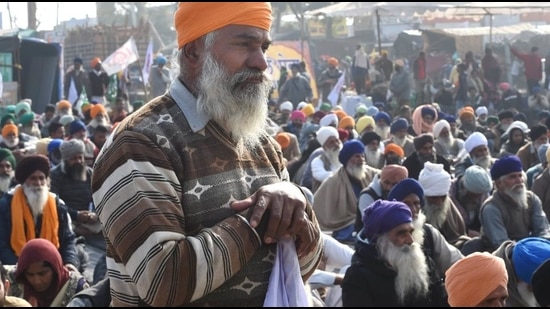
pixel 528 254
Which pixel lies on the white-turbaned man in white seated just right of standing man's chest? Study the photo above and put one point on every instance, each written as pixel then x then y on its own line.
pixel 327 162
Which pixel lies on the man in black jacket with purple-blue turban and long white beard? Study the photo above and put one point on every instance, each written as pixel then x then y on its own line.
pixel 389 268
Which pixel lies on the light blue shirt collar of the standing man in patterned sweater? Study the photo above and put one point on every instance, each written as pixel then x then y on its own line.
pixel 188 105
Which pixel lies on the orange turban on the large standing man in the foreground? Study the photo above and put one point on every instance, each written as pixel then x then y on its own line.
pixel 195 19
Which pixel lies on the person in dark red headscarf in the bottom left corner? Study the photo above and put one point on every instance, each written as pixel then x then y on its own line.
pixel 42 279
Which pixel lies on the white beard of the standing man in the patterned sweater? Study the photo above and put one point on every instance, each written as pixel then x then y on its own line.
pixel 239 108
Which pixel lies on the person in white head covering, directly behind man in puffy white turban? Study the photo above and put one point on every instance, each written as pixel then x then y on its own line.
pixel 445 144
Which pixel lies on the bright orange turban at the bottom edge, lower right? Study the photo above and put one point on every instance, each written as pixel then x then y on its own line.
pixel 471 279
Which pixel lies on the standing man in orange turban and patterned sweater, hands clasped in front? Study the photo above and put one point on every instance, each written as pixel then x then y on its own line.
pixel 190 180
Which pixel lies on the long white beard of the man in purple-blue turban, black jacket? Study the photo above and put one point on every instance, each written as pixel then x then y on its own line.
pixel 410 264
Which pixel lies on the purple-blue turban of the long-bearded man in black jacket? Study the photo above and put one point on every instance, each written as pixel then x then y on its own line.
pixel 382 216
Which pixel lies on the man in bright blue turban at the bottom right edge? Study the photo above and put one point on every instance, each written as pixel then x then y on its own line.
pixel 522 258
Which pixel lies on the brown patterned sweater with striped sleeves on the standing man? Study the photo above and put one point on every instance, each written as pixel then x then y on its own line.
pixel 162 185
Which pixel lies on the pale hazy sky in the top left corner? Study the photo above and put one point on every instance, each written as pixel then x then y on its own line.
pixel 46 13
